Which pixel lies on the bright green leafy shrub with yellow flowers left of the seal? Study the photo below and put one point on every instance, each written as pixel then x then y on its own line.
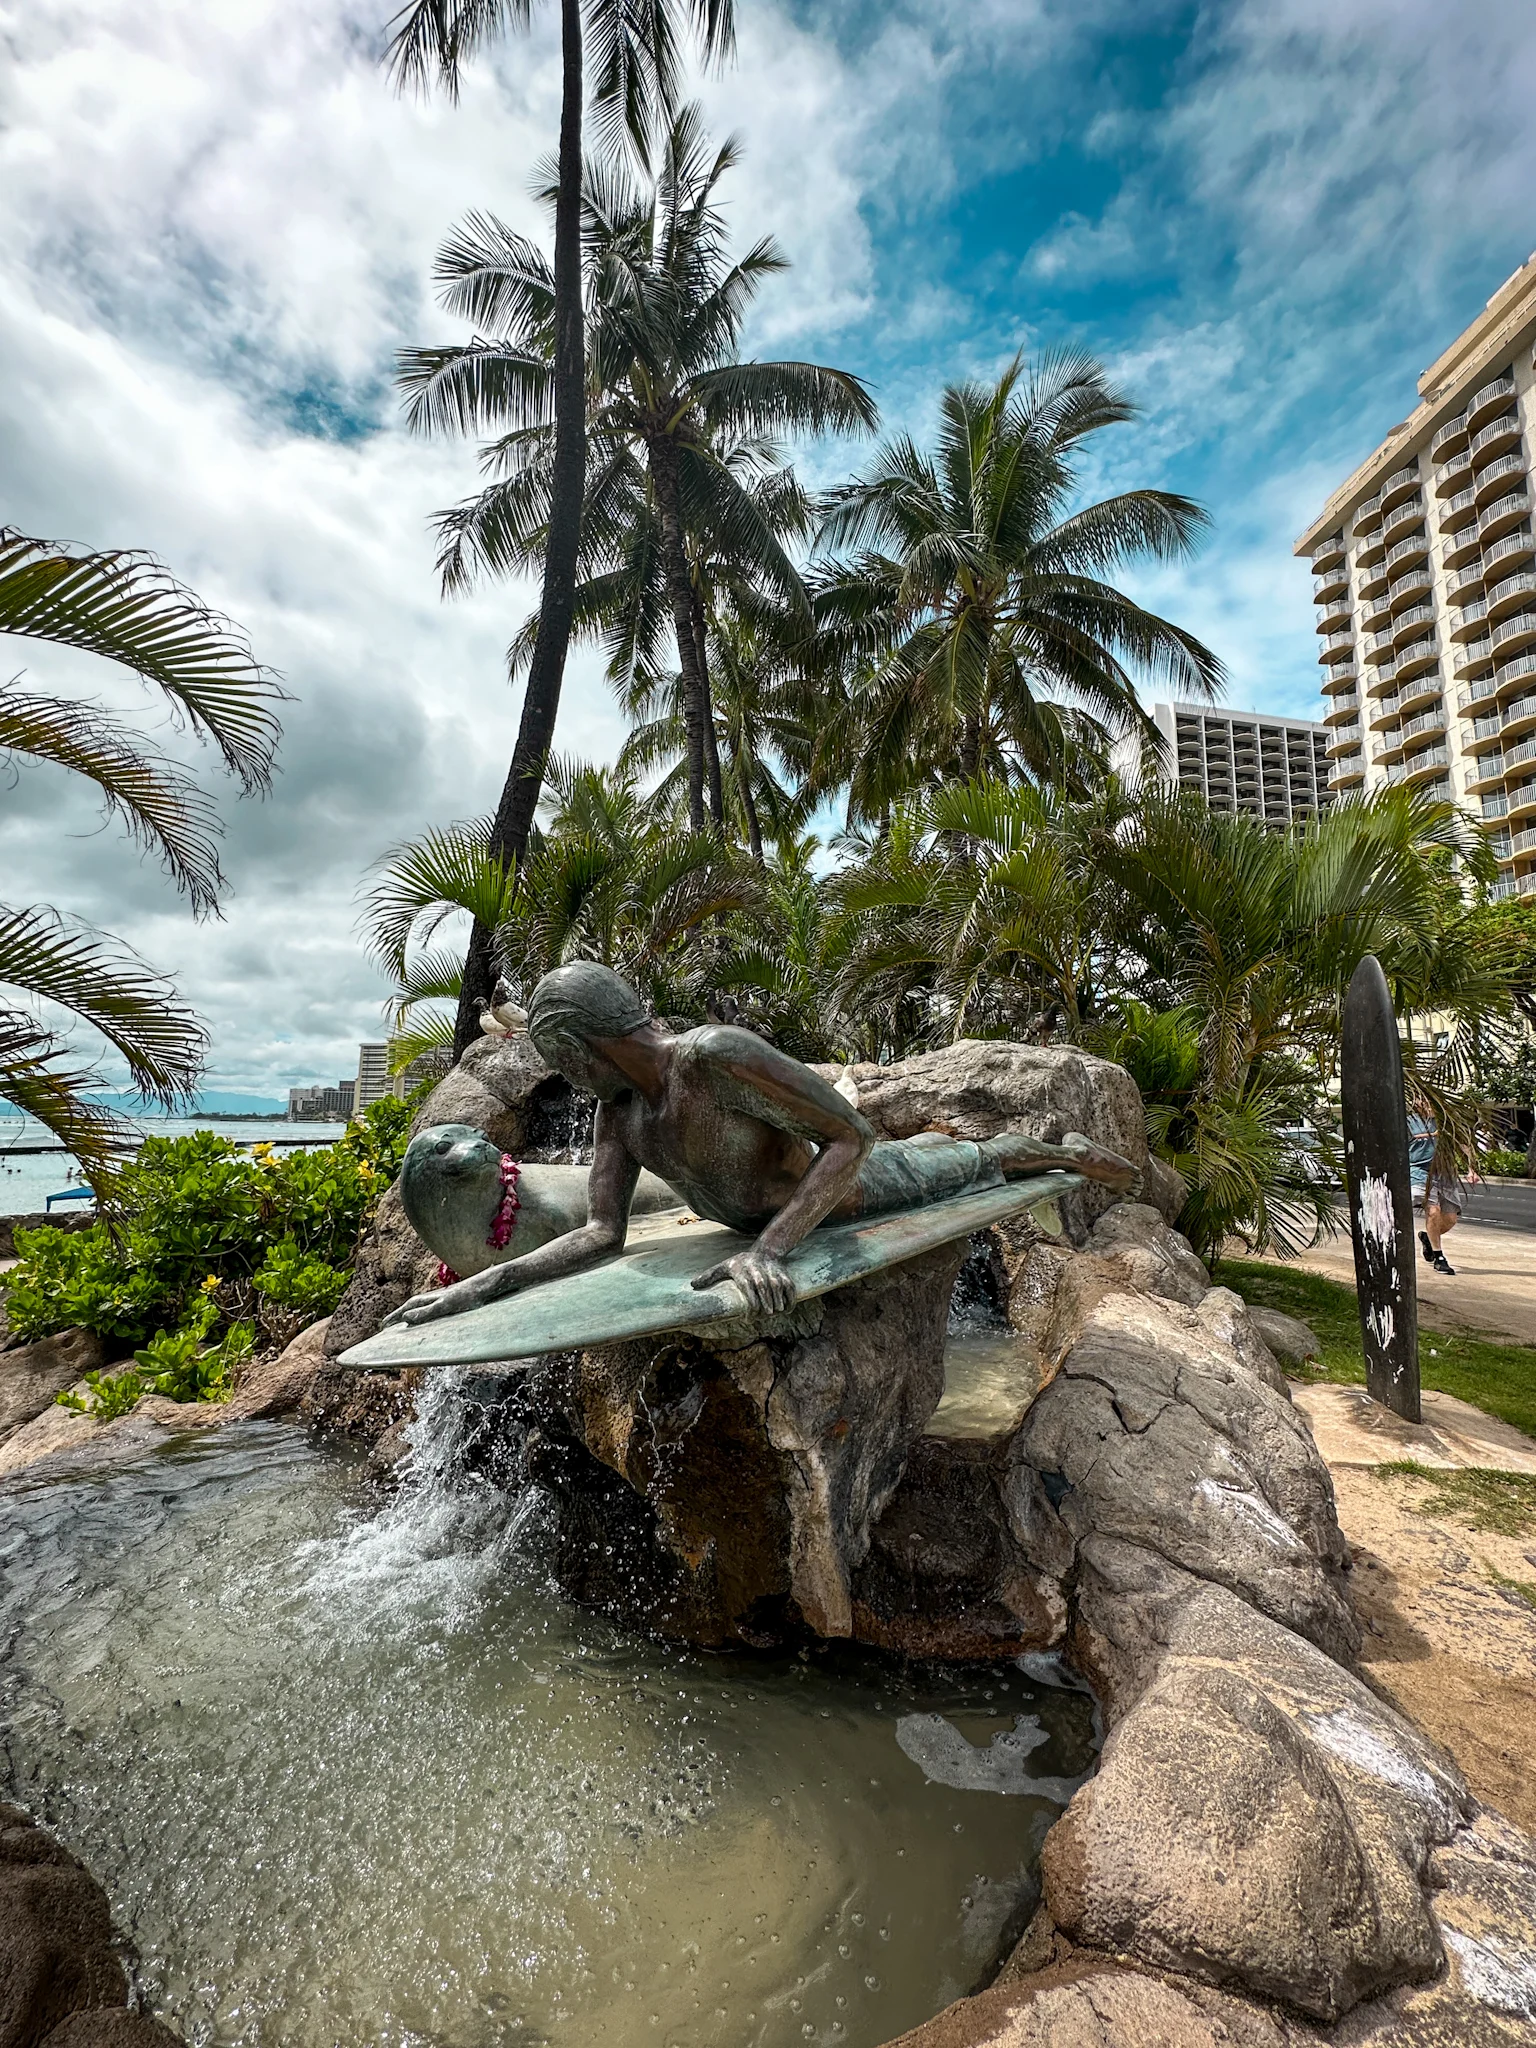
pixel 198 1213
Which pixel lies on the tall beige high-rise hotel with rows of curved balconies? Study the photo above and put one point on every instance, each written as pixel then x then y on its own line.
pixel 1424 574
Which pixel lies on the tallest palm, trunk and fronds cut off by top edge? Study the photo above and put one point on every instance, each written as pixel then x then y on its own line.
pixel 636 91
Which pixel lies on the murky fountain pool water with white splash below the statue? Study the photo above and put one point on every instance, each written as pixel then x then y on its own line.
pixel 361 1781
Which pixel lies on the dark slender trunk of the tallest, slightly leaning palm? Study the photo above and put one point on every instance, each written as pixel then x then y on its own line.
pixel 568 486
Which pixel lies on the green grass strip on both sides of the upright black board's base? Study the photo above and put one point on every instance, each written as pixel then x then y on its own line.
pixel 1486 1371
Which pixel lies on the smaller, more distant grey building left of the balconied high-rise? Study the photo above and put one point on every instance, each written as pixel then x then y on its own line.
pixel 1240 761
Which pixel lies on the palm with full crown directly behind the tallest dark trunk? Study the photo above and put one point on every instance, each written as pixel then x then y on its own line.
pixel 681 431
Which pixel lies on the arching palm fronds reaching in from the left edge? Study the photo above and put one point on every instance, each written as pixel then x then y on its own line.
pixel 128 609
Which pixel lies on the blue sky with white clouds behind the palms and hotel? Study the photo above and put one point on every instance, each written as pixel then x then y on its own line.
pixel 216 226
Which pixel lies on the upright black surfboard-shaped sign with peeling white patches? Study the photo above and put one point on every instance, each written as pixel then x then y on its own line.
pixel 1381 1195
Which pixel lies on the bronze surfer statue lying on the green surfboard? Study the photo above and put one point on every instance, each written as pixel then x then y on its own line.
pixel 738 1132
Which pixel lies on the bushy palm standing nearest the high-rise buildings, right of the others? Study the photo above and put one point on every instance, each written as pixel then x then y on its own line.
pixel 974 611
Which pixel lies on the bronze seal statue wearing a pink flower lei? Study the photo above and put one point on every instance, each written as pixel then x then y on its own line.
pixel 454 1185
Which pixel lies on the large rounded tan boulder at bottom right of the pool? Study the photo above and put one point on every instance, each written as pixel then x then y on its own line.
pixel 1261 1820
